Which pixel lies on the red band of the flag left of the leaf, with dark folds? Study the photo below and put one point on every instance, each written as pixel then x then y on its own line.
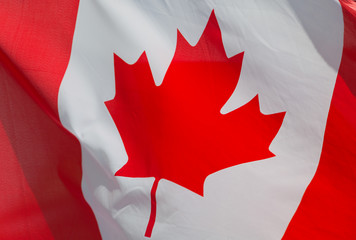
pixel 40 177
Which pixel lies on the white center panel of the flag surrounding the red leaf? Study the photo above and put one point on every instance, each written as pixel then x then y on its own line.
pixel 292 55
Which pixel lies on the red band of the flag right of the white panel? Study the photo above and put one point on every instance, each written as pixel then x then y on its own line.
pixel 328 207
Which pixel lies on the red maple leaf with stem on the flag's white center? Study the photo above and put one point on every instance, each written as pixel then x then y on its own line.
pixel 176 131
